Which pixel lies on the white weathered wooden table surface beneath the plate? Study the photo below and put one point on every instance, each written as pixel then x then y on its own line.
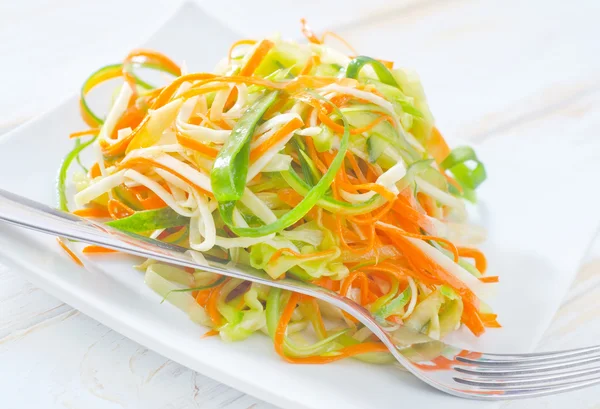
pixel 545 60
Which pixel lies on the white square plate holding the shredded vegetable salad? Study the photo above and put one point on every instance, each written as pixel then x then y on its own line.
pixel 536 239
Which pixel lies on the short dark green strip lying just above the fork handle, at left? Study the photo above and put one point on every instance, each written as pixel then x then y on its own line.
pixel 150 220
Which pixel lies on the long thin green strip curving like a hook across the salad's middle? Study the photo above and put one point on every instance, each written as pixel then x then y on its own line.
pixel 308 202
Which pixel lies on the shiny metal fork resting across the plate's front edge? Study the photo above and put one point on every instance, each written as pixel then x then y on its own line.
pixel 459 372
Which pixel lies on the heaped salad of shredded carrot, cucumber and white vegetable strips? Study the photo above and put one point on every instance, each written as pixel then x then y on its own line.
pixel 299 160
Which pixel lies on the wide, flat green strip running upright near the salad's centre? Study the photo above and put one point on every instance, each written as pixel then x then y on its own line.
pixel 229 172
